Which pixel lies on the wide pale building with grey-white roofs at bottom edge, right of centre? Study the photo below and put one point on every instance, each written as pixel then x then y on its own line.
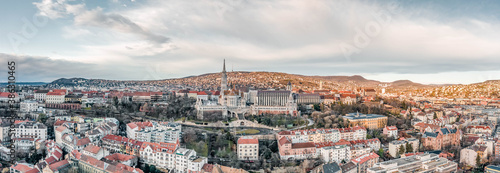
pixel 427 162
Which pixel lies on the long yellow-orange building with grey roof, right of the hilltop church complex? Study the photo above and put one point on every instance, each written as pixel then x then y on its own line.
pixel 369 121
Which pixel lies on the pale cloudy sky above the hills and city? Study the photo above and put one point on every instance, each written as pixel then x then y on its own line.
pixel 430 42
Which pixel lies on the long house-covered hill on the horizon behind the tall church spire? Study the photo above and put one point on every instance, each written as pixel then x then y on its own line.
pixel 248 79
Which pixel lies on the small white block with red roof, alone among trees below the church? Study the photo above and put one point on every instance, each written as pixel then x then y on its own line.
pixel 248 148
